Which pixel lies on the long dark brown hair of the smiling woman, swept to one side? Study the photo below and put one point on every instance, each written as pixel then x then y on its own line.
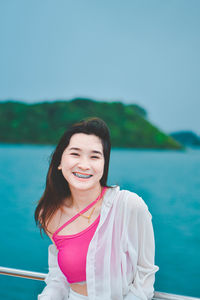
pixel 57 188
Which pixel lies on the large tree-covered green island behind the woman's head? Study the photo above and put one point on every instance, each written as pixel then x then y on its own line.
pixel 45 122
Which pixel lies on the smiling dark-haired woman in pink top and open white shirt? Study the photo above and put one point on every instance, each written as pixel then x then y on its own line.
pixel 103 241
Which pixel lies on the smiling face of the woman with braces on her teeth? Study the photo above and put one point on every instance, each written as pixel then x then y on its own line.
pixel 82 162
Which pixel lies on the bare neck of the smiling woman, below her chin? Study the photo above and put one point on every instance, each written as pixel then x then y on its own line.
pixel 82 198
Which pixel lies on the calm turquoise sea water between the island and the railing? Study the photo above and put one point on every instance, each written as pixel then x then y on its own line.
pixel 168 181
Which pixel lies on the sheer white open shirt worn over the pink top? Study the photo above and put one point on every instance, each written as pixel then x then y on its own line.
pixel 120 258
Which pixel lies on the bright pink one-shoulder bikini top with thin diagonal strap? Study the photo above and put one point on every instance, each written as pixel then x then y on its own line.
pixel 72 249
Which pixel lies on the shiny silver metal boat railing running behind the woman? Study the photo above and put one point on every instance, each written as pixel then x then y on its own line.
pixel 41 276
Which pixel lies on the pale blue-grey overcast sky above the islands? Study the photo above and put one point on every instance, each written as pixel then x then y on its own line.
pixel 136 51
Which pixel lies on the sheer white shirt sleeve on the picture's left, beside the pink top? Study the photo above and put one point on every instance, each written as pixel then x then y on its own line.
pixel 57 286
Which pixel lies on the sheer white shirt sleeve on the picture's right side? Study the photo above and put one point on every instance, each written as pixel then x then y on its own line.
pixel 143 245
